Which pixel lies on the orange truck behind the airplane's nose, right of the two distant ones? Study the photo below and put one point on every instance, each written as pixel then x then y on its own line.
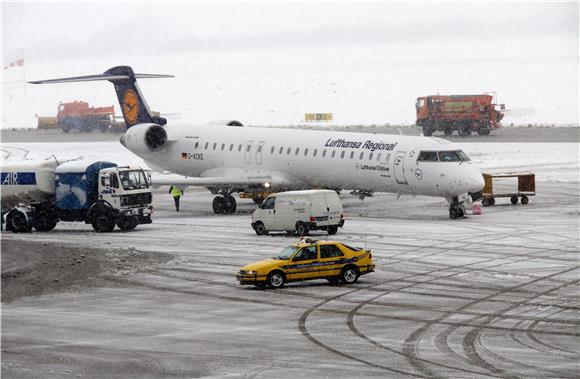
pixel 464 113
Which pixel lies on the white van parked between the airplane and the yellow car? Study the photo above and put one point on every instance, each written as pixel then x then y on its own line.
pixel 299 212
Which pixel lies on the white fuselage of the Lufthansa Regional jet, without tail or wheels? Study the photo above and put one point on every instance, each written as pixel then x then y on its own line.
pixel 304 159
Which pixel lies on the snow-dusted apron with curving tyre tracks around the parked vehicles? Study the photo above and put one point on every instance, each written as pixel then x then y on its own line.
pixel 494 295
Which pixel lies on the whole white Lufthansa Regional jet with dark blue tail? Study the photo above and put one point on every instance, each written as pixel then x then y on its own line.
pixel 228 158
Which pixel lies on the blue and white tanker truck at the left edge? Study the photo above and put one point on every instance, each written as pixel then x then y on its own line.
pixel 39 194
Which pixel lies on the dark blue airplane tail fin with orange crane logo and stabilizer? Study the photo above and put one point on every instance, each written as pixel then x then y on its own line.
pixel 133 105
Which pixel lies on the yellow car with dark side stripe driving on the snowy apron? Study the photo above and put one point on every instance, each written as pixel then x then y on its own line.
pixel 308 260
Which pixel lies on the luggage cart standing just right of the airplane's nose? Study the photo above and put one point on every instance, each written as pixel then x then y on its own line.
pixel 526 188
